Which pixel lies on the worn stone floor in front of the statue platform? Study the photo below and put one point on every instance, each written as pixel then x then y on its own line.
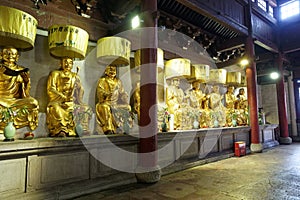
pixel 273 174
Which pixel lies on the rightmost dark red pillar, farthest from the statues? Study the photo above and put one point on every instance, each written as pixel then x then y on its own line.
pixel 281 101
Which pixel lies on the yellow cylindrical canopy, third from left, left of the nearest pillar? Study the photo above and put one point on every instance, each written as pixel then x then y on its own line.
pixel 114 51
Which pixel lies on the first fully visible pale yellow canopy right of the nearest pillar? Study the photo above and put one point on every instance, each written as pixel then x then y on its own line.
pixel 178 68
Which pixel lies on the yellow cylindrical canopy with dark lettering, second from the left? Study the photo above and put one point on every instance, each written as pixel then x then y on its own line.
pixel 67 41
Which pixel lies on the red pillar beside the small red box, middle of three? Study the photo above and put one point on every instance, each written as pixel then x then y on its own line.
pixel 255 146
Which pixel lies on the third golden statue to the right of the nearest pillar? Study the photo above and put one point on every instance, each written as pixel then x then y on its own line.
pixel 218 109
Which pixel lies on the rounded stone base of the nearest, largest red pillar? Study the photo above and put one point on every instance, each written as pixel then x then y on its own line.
pixel 148 175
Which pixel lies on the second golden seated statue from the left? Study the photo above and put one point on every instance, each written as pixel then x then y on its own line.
pixel 60 89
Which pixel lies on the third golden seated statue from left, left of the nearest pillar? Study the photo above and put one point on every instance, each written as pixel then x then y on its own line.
pixel 113 110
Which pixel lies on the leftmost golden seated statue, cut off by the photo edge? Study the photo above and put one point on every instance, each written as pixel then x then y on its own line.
pixel 14 92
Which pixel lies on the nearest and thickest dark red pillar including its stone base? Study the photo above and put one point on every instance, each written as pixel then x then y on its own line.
pixel 148 170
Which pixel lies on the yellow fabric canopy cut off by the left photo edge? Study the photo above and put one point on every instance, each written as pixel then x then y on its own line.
pixel 17 28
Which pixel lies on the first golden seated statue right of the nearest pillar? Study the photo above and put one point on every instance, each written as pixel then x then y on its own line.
pixel 175 102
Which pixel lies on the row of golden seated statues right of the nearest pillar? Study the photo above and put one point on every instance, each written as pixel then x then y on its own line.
pixel 197 109
